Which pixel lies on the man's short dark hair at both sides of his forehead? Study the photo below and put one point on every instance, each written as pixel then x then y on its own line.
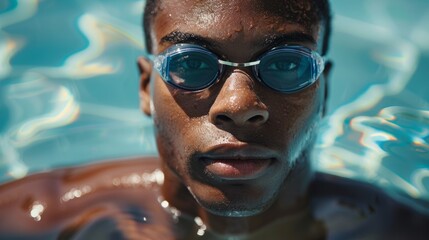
pixel 323 12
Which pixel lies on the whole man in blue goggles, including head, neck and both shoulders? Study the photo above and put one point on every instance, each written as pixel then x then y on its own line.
pixel 236 90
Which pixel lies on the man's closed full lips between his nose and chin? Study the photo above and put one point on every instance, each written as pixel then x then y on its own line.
pixel 237 161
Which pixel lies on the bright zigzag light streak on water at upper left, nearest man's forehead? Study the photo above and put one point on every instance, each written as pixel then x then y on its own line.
pixel 100 31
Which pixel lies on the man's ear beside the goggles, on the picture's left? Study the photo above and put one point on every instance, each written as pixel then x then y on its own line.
pixel 145 69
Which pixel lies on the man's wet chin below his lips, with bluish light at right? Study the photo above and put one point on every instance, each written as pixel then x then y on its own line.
pixel 239 198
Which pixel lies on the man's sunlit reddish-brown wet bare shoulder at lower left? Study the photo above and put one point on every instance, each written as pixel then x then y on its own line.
pixel 67 202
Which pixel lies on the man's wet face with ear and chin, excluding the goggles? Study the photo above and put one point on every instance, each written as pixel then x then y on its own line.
pixel 236 144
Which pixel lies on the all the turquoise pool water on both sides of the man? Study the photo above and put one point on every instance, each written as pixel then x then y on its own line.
pixel 69 90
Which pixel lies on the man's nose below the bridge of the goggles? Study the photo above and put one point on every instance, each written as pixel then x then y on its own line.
pixel 237 103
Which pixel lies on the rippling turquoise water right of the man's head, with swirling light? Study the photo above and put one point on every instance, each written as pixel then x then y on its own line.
pixel 389 148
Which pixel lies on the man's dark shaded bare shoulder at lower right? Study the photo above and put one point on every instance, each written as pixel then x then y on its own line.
pixel 354 210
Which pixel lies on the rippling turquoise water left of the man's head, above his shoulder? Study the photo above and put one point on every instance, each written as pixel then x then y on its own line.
pixel 49 120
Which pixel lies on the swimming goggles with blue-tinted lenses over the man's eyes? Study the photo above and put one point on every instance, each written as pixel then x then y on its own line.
pixel 286 69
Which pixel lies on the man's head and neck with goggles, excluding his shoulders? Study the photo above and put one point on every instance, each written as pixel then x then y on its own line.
pixel 234 142
